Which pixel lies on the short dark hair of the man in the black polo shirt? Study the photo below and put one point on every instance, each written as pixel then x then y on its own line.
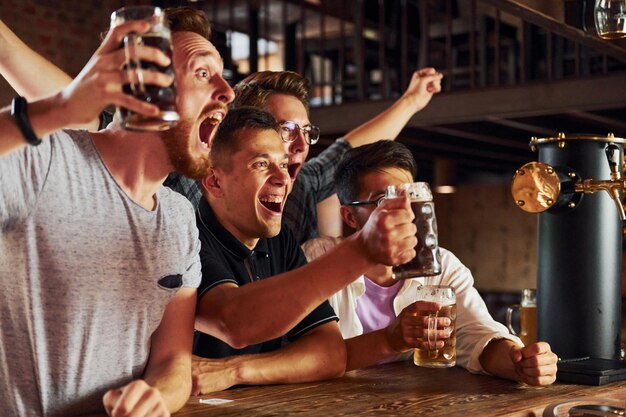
pixel 226 141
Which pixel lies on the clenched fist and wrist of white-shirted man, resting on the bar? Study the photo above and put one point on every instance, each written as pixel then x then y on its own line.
pixel 534 364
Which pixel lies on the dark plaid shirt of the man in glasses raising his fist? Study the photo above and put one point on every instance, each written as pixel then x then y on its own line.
pixel 315 182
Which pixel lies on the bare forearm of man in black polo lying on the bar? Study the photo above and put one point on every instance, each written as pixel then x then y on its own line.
pixel 318 355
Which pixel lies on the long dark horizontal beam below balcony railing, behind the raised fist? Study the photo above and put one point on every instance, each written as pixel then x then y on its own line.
pixel 536 99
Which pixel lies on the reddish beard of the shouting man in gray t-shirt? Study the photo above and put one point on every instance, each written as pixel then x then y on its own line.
pixel 176 141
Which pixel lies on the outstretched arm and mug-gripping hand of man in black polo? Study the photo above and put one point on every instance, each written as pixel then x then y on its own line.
pixel 232 313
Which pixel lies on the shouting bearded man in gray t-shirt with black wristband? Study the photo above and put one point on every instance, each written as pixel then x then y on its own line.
pixel 98 261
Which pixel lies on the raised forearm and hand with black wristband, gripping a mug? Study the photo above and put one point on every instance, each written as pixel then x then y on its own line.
pixel 98 85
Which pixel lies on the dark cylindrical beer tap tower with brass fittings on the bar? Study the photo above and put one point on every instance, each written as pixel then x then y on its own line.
pixel 578 195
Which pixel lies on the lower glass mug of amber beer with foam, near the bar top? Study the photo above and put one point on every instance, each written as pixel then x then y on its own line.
pixel 438 346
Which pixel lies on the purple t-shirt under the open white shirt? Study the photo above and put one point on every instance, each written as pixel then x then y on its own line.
pixel 375 306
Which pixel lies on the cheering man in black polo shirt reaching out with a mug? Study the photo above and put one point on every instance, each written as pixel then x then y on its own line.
pixel 257 330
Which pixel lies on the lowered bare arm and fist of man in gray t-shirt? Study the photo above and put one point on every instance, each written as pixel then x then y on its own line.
pixel 168 374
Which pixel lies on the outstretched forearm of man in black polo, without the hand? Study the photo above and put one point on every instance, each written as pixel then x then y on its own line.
pixel 232 314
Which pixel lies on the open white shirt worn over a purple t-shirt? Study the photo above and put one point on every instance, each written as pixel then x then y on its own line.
pixel 474 325
